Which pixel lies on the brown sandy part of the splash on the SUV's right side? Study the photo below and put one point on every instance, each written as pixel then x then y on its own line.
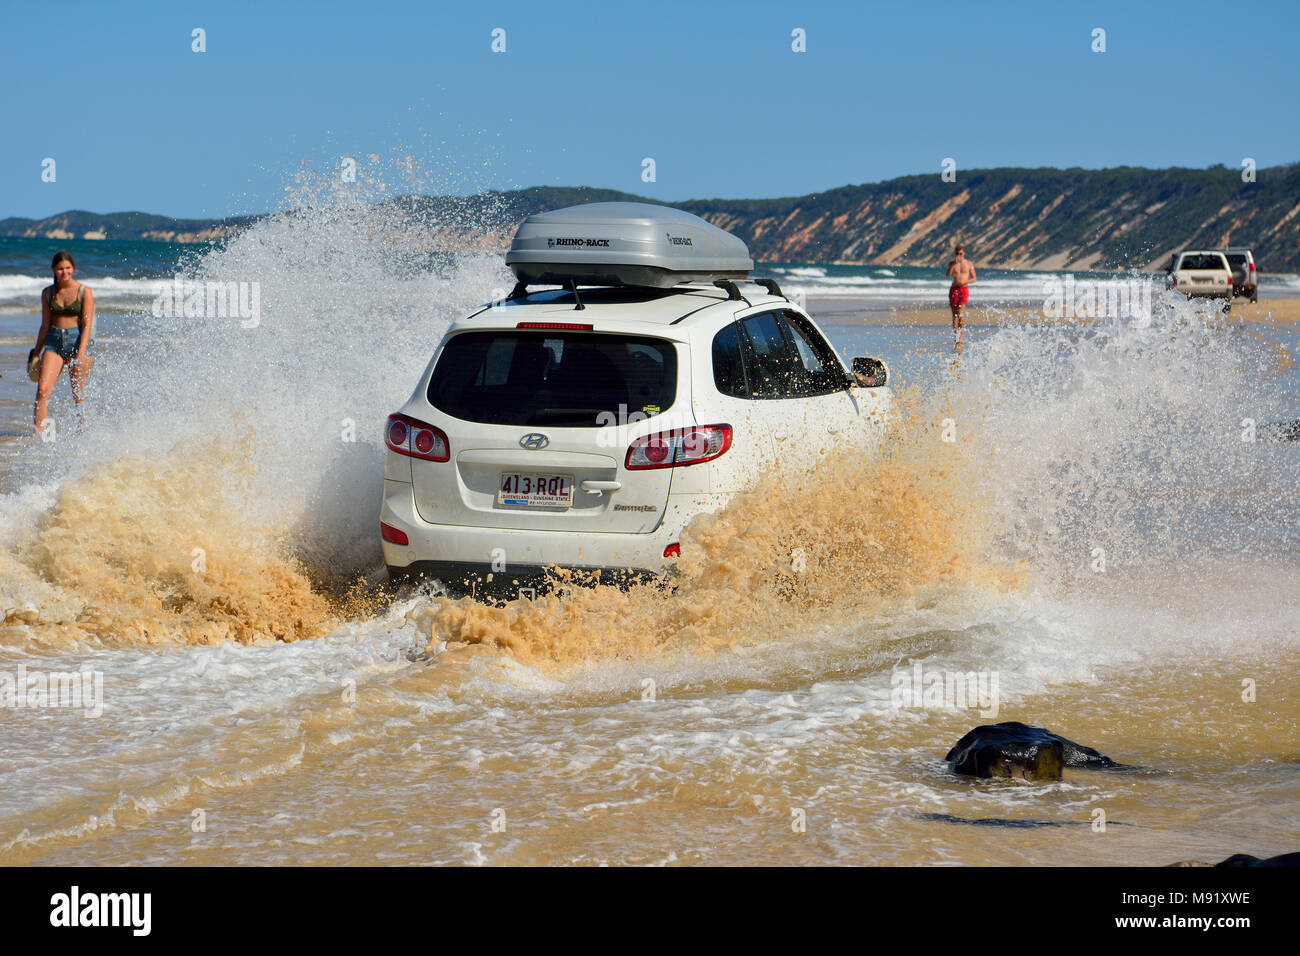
pixel 835 546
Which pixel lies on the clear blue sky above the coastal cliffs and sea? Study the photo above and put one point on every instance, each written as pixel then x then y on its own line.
pixel 584 92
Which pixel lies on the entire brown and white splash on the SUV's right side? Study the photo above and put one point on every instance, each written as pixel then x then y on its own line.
pixel 1104 449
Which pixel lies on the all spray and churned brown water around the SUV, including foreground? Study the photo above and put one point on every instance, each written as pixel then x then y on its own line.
pixel 1073 448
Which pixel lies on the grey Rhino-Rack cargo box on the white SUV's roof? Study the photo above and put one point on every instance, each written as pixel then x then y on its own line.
pixel 625 244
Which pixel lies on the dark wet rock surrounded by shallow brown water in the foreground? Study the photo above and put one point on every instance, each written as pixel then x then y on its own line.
pixel 1016 750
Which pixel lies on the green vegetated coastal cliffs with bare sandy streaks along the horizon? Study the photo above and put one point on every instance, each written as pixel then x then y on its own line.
pixel 1104 219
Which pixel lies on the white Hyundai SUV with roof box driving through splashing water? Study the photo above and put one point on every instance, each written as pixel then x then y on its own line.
pixel 584 429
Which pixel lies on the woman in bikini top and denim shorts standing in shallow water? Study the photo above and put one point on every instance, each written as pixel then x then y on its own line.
pixel 67 317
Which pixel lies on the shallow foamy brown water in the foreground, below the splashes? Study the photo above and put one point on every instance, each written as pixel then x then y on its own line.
pixel 779 752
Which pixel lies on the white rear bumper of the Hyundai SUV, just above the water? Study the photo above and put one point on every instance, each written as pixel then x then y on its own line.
pixel 467 553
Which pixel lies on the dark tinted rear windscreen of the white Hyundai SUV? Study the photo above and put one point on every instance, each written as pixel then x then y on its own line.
pixel 561 379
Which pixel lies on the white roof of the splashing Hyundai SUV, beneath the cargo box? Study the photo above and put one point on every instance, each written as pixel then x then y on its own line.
pixel 630 308
